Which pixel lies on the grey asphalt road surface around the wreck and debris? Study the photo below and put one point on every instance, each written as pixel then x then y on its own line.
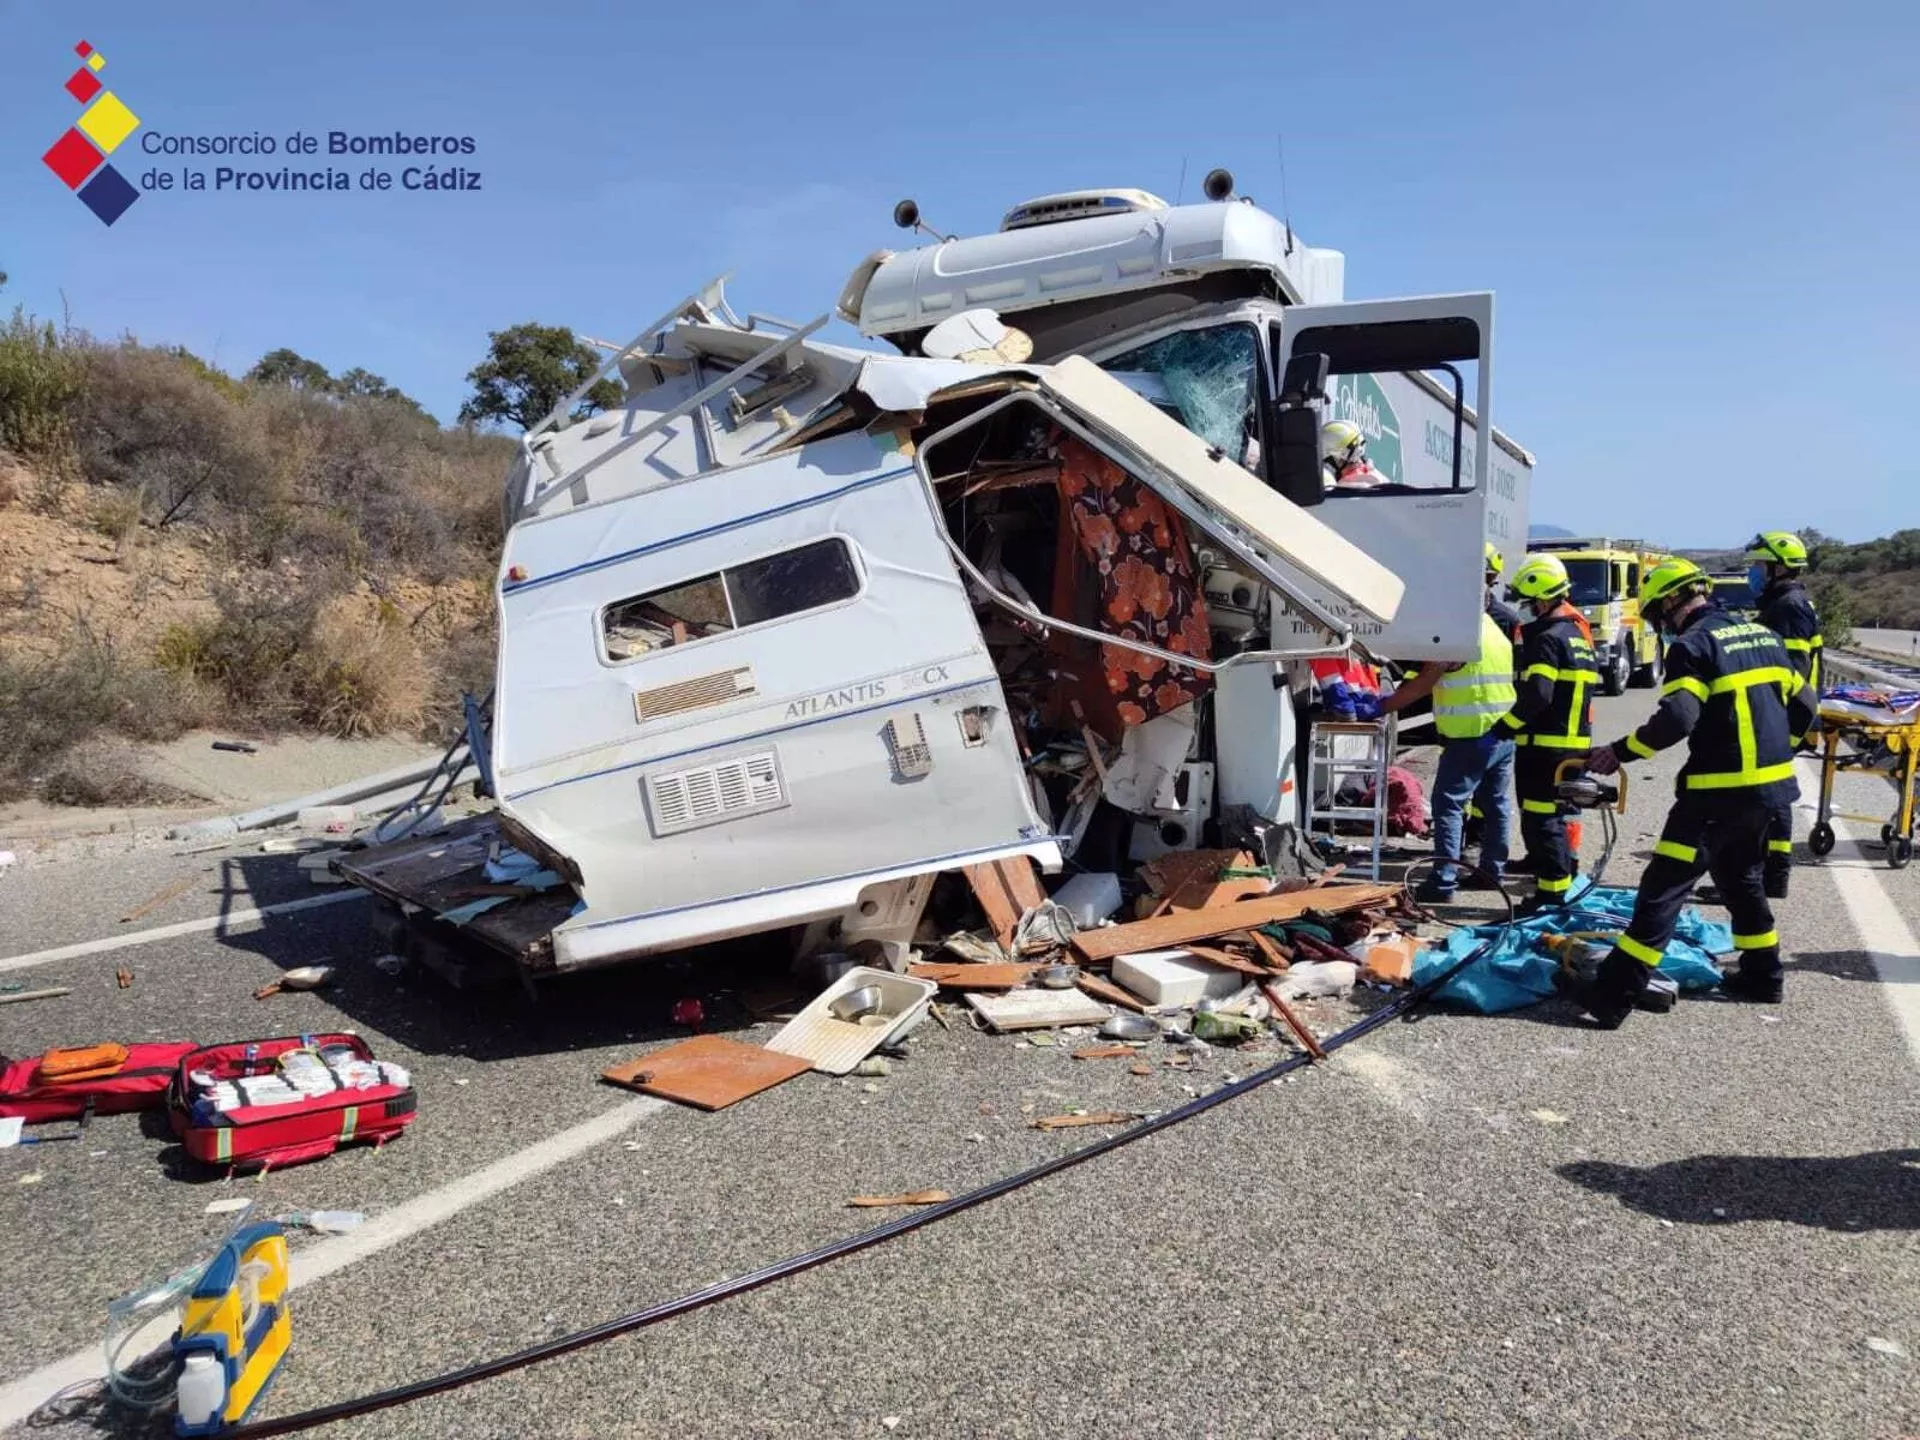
pixel 1700 1226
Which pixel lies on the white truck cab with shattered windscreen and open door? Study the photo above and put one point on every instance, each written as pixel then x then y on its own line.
pixel 1203 310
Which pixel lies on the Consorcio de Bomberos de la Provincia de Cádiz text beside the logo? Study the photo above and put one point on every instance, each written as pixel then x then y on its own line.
pixel 247 162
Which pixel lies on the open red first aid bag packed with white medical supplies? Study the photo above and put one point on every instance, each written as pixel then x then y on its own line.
pixel 287 1101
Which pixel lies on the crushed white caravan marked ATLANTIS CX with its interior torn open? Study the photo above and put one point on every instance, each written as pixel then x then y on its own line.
pixel 802 627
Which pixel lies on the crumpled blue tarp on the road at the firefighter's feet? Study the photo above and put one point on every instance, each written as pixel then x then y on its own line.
pixel 1520 972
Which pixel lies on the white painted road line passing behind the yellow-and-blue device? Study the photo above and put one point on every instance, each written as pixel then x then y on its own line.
pixel 20 1399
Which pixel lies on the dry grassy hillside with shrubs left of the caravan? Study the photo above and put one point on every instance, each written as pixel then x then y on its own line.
pixel 187 550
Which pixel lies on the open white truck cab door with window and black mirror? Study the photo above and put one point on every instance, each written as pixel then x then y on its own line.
pixel 1385 364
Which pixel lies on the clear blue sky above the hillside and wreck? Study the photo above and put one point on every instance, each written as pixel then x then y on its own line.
pixel 1698 229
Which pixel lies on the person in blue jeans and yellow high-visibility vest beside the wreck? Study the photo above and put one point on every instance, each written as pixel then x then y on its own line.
pixel 1476 757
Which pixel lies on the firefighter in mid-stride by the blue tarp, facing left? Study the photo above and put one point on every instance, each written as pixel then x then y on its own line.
pixel 1737 702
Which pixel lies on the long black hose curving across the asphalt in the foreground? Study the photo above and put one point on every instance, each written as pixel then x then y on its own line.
pixel 640 1320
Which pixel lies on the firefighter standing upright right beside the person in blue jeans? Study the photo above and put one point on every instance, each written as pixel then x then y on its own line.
pixel 1552 719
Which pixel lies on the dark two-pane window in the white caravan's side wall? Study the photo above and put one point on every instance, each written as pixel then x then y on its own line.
pixel 771 588
